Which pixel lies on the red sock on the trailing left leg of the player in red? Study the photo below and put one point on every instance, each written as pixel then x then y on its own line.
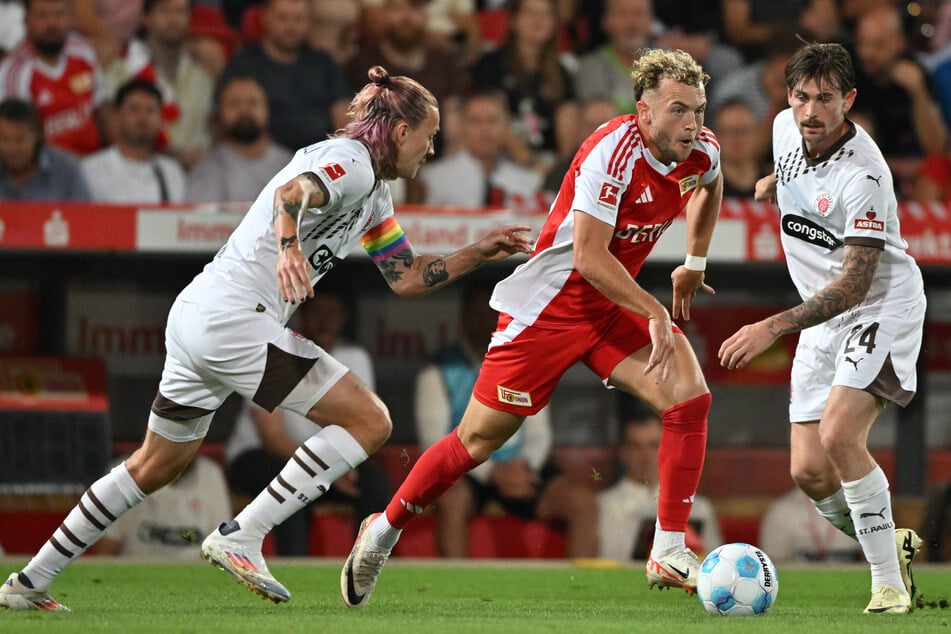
pixel 437 469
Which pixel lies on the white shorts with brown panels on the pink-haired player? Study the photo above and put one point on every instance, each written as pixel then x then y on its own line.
pixel 211 353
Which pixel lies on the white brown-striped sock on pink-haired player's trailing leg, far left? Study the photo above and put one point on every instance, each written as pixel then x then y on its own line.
pixel 103 503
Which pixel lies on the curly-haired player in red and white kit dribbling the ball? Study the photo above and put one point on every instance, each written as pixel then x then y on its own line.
pixel 577 299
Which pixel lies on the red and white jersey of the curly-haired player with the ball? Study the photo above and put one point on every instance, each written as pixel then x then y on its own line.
pixel 616 179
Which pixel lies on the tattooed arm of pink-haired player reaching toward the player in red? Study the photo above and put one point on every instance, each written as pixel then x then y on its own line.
pixel 411 274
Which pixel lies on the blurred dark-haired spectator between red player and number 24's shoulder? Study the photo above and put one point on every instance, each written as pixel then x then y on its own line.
pixel 740 160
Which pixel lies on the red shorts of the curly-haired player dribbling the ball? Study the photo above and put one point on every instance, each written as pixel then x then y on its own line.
pixel 524 363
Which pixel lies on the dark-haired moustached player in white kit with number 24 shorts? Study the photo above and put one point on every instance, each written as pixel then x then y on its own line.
pixel 861 318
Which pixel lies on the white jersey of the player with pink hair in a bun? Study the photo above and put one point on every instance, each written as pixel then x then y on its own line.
pixel 243 273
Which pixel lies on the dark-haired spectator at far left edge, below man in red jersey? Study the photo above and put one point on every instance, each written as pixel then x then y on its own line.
pixel 29 170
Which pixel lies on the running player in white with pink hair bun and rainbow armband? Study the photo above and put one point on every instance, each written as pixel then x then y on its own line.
pixel 226 333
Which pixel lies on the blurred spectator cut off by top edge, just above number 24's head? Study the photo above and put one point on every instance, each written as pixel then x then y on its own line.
pixel 751 25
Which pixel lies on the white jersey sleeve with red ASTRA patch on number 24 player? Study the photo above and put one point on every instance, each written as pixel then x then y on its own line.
pixel 866 198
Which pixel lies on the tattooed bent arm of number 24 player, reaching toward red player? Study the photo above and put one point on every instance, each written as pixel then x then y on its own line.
pixel 859 263
